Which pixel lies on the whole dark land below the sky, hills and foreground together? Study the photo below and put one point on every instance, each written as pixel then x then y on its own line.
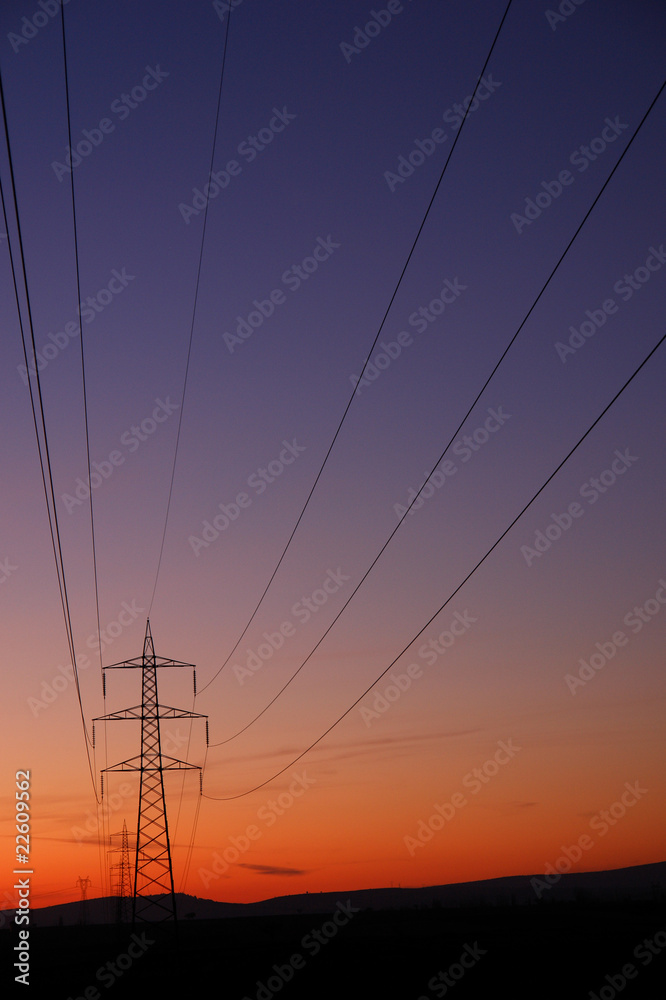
pixel 411 943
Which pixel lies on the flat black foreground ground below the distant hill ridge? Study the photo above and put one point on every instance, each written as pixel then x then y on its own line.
pixel 559 950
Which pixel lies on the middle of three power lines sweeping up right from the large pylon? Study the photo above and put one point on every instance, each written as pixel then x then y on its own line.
pixel 453 436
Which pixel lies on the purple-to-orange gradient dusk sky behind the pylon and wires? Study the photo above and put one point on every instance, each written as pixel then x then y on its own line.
pixel 531 706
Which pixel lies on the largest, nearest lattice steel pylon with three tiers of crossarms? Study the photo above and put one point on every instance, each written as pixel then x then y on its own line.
pixel 153 891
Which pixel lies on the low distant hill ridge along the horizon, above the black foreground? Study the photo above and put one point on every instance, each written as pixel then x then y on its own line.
pixel 635 883
